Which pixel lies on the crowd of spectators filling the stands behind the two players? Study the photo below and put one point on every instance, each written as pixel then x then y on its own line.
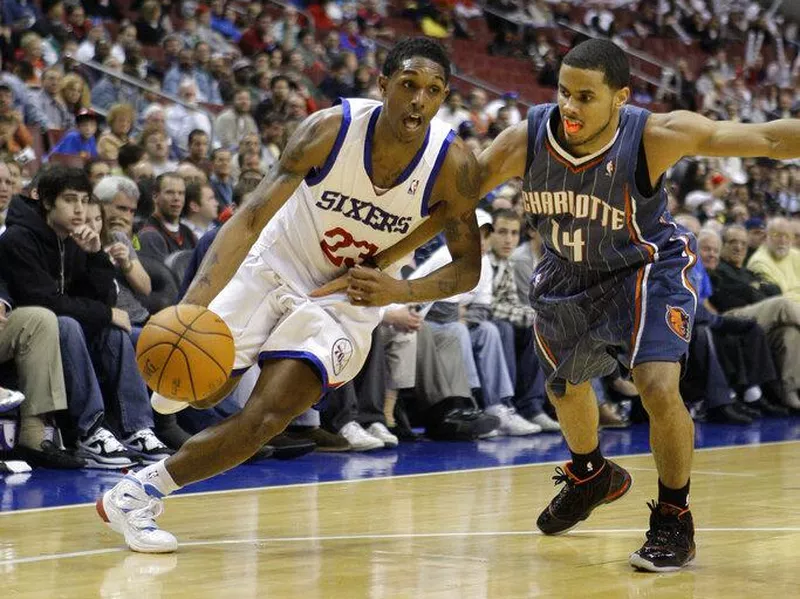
pixel 152 177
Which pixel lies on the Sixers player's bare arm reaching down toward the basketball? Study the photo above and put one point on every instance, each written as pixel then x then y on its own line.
pixel 307 148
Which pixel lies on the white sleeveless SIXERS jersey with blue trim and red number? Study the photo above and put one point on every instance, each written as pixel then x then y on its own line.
pixel 336 218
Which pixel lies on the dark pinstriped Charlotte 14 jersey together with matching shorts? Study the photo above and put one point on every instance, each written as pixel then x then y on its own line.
pixel 613 284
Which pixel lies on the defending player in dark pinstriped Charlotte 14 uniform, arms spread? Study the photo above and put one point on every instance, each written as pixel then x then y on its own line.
pixel 612 285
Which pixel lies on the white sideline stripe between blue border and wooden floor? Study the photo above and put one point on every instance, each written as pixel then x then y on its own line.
pixel 393 476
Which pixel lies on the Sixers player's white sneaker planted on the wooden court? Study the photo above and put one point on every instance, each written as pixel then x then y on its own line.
pixel 130 508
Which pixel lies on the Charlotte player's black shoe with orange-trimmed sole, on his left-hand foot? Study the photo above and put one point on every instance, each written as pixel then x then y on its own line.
pixel 578 498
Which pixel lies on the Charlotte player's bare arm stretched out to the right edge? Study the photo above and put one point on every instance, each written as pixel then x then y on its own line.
pixel 671 136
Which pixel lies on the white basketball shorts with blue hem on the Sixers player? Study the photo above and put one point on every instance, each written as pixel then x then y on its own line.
pixel 270 318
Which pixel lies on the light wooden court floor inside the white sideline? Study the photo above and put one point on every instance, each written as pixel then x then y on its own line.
pixel 450 535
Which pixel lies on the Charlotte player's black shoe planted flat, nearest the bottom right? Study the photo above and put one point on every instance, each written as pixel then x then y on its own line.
pixel 670 540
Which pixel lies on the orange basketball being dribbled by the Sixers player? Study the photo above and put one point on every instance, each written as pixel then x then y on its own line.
pixel 185 353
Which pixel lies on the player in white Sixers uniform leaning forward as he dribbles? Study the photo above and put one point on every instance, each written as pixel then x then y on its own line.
pixel 353 180
